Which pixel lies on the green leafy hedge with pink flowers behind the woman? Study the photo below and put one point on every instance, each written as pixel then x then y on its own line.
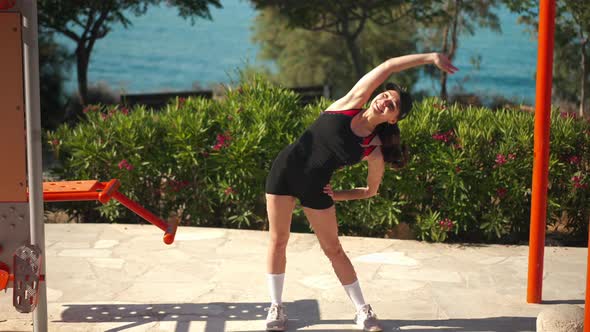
pixel 469 177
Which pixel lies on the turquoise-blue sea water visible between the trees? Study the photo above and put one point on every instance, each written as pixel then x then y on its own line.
pixel 163 52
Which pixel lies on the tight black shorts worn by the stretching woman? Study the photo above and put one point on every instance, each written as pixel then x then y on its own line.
pixel 286 178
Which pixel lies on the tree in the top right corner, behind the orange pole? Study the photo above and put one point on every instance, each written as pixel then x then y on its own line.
pixel 572 45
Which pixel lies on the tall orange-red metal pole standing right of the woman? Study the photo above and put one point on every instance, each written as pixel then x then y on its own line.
pixel 541 150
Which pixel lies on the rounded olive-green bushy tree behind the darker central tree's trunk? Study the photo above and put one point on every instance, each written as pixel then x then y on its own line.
pixel 305 57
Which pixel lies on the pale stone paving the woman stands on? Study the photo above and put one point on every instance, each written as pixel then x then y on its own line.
pixel 109 277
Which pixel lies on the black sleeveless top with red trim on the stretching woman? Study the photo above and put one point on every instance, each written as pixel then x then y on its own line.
pixel 329 143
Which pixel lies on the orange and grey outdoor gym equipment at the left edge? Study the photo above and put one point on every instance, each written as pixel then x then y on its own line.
pixel 22 193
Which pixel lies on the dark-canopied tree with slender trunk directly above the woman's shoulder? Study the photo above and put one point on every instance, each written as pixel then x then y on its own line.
pixel 346 19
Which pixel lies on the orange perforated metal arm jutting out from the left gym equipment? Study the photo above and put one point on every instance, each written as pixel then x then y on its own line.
pixel 91 190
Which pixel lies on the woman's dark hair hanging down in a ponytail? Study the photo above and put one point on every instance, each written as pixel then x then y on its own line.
pixel 394 152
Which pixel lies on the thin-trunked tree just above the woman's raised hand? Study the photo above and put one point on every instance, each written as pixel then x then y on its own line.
pixel 457 17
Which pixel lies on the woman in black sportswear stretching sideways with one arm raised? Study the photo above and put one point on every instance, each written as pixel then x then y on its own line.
pixel 343 134
